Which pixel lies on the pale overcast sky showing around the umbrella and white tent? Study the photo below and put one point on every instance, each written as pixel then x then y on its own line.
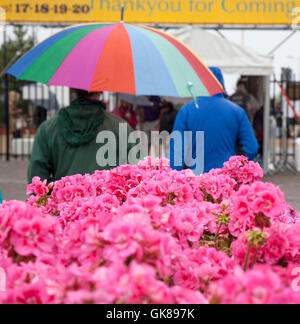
pixel 262 41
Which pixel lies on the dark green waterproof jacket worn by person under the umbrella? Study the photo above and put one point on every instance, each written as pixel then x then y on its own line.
pixel 69 143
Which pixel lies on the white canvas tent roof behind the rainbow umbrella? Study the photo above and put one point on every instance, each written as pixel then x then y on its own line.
pixel 232 58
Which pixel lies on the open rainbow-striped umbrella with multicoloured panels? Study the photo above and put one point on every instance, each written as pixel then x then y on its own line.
pixel 117 58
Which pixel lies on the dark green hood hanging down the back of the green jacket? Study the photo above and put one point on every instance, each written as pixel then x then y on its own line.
pixel 80 123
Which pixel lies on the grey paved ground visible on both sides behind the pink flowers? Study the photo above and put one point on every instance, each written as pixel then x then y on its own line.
pixel 13 182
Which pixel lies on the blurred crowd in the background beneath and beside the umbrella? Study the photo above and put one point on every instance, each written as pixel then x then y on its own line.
pixel 145 114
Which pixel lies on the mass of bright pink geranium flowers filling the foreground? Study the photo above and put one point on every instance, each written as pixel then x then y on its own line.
pixel 148 234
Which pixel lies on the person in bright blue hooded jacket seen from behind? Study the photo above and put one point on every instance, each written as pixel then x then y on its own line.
pixel 212 131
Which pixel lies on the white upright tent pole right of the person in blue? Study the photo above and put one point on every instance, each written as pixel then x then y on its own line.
pixel 267 113
